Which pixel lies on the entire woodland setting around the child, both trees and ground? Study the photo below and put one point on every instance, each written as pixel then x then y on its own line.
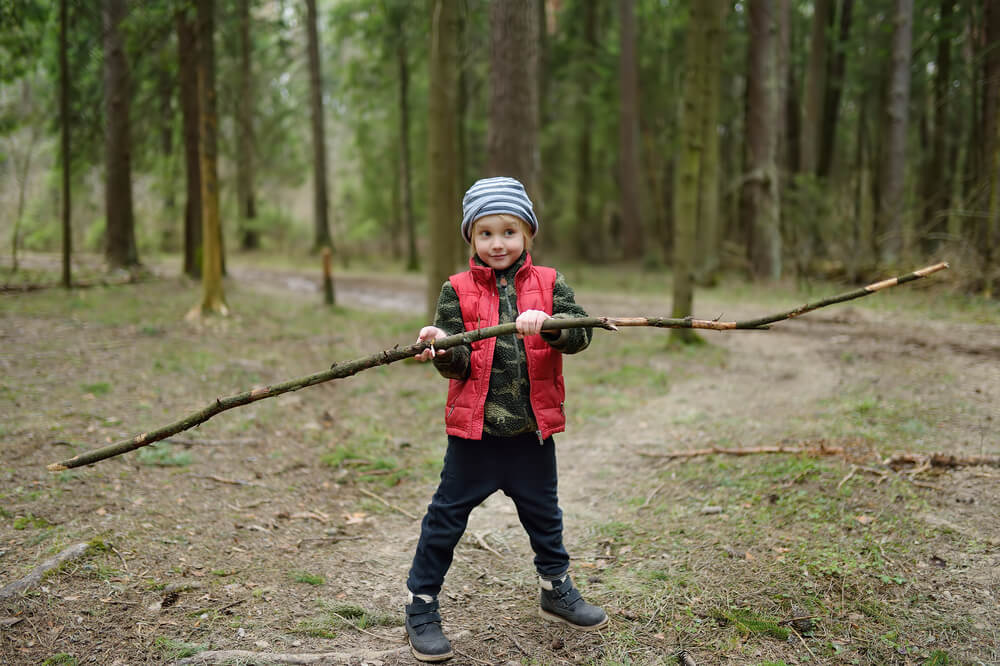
pixel 753 152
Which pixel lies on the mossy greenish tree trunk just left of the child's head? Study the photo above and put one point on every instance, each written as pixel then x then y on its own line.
pixel 442 146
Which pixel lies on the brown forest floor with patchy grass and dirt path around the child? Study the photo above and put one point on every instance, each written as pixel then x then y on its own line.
pixel 286 527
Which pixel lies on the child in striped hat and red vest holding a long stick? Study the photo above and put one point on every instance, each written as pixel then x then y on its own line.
pixel 505 400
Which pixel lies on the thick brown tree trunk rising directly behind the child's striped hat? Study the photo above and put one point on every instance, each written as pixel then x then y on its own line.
pixel 512 137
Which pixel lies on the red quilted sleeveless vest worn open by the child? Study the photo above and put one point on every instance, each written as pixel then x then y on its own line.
pixel 480 302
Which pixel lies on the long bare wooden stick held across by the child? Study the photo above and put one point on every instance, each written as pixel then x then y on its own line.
pixel 397 353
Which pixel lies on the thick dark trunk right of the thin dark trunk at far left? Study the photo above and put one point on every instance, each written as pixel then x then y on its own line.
pixel 120 250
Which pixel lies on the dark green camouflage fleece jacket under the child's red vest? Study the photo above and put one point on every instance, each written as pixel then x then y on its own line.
pixel 508 407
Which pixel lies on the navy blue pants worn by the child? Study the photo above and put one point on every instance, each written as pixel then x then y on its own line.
pixel 473 470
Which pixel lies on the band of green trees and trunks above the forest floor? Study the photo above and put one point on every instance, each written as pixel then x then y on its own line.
pixel 773 138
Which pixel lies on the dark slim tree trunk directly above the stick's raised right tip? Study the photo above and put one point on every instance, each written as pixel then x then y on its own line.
pixel 936 187
